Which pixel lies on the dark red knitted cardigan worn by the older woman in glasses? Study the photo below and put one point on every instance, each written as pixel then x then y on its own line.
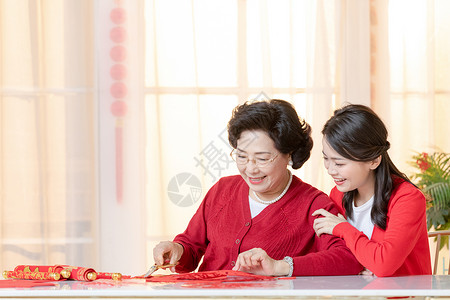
pixel 222 228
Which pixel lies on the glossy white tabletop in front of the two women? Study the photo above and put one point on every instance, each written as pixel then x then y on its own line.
pixel 301 287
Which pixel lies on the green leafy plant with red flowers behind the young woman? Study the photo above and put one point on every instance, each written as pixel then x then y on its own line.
pixel 433 178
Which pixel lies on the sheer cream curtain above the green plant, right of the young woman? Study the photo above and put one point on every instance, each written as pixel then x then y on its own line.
pixel 411 75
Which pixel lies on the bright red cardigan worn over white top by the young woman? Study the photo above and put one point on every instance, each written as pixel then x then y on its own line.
pixel 402 249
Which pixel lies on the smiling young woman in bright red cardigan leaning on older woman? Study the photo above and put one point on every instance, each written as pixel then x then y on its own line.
pixel 385 222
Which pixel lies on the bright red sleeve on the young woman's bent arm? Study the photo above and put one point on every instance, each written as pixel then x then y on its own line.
pixel 405 219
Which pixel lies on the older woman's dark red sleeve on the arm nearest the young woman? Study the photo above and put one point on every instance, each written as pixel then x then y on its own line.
pixel 331 255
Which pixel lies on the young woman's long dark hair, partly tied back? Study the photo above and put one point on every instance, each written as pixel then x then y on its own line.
pixel 357 133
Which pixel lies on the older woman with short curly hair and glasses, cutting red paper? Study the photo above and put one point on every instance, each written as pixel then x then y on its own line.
pixel 261 221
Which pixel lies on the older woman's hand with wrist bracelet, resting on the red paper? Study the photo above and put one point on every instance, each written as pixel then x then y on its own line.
pixel 257 261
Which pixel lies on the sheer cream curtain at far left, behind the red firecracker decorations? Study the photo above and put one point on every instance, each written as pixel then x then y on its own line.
pixel 47 134
